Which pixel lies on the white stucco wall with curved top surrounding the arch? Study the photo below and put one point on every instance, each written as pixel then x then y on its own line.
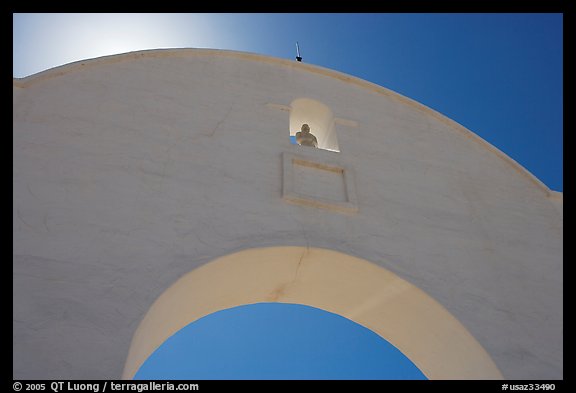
pixel 129 171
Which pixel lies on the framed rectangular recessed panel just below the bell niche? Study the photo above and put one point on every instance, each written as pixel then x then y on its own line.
pixel 318 183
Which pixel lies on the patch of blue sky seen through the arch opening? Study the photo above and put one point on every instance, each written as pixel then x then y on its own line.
pixel 277 341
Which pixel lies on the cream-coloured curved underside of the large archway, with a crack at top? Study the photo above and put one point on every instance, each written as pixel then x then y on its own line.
pixel 423 330
